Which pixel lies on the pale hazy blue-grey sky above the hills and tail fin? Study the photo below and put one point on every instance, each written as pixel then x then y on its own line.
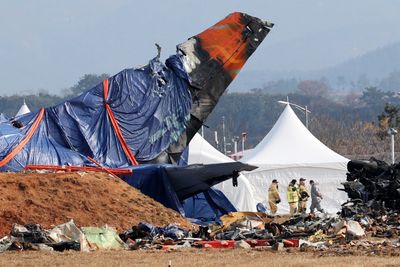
pixel 47 44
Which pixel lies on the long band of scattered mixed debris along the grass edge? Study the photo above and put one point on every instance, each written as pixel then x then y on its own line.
pixel 241 230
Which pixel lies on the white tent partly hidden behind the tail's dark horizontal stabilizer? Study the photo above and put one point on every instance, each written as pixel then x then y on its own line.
pixel 200 151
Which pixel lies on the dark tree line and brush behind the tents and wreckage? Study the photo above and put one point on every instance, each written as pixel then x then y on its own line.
pixel 352 123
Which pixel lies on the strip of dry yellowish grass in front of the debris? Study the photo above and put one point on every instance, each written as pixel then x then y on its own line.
pixel 191 257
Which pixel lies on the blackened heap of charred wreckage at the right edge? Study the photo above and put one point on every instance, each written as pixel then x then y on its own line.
pixel 373 188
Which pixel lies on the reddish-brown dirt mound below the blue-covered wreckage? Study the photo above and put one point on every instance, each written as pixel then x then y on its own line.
pixel 91 199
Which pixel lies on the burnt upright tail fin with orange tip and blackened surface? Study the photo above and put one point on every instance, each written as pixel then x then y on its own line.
pixel 212 60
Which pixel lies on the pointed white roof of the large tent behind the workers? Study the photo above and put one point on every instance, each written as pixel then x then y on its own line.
pixel 290 143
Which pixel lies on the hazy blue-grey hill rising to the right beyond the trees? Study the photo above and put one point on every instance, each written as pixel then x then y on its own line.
pixel 357 73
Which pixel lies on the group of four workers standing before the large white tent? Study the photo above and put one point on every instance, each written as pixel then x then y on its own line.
pixel 297 197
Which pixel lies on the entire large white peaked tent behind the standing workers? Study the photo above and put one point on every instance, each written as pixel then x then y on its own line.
pixel 289 151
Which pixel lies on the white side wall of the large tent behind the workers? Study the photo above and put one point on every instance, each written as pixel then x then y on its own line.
pixel 328 179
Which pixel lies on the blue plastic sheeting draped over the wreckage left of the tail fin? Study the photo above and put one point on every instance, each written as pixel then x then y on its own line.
pixel 151 105
